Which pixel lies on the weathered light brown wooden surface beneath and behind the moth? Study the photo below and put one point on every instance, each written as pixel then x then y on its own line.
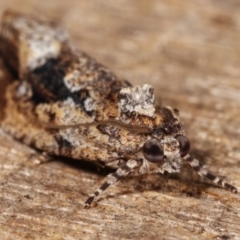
pixel 190 52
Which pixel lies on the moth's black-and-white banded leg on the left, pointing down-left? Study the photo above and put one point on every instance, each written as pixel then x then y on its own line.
pixel 113 178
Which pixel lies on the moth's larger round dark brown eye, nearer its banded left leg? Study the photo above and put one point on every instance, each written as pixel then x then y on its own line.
pixel 153 151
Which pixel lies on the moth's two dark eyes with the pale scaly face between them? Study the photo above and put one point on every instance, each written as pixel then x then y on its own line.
pixel 165 149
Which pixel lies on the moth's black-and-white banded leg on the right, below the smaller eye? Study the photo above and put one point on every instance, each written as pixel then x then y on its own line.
pixel 197 166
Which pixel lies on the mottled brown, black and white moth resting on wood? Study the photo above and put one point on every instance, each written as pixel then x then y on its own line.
pixel 66 103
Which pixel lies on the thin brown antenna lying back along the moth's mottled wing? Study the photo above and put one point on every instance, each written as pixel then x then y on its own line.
pixel 131 128
